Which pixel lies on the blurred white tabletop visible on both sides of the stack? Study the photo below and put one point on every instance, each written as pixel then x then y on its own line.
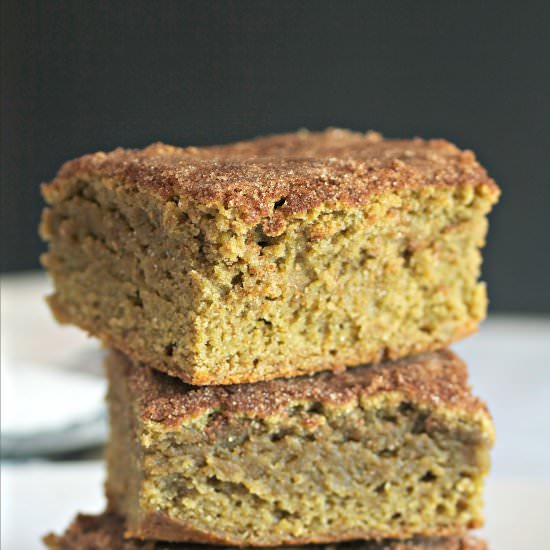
pixel 509 364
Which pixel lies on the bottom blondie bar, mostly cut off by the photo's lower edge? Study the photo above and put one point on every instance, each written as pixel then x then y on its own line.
pixel 106 532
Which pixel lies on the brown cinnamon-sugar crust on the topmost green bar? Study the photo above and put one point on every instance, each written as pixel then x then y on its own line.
pixel 282 175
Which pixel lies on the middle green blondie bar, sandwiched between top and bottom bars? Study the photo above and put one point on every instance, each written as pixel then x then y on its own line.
pixel 394 450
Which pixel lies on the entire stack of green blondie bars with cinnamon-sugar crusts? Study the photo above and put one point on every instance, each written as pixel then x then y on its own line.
pixel 278 312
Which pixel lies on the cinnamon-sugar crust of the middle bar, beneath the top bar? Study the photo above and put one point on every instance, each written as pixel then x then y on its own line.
pixel 437 379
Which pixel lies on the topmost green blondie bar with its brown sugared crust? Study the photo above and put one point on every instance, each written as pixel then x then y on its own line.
pixel 274 257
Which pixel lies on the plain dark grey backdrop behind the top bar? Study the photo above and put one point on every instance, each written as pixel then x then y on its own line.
pixel 79 76
